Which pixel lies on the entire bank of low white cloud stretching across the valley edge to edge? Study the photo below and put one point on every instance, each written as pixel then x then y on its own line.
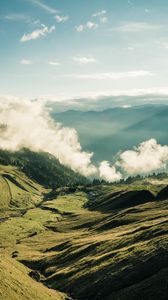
pixel 28 124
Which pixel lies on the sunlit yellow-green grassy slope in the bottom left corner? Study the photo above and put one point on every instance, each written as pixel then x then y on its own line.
pixel 16 284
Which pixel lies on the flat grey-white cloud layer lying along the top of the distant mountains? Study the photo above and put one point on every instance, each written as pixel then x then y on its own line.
pixel 103 102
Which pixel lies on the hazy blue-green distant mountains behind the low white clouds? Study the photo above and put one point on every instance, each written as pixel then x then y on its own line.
pixel 109 131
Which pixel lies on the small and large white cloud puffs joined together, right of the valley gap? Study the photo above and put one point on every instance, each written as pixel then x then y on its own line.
pixel 145 159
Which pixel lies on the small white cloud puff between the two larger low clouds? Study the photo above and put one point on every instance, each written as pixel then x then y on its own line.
pixel 109 173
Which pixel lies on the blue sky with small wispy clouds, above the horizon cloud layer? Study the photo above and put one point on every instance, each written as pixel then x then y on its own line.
pixel 63 49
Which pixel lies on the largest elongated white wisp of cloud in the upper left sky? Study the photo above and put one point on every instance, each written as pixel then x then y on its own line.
pixel 37 33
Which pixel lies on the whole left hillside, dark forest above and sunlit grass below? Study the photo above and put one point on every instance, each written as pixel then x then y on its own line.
pixel 25 175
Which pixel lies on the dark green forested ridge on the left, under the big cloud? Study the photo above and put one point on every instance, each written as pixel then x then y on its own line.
pixel 41 167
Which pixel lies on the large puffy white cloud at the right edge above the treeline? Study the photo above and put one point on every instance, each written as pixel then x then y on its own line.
pixel 148 157
